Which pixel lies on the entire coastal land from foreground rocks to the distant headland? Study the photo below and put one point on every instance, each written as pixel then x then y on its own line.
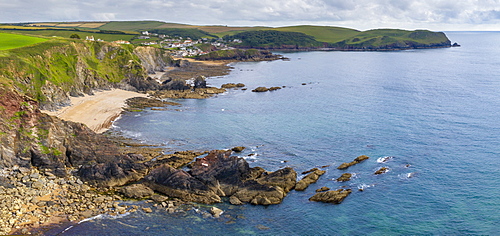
pixel 56 166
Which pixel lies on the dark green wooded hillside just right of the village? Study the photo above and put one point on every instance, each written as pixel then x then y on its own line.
pixel 275 39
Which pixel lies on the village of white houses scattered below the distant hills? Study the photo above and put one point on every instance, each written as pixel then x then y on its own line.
pixel 179 46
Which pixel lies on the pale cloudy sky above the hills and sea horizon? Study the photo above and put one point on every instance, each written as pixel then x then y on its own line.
pixel 438 15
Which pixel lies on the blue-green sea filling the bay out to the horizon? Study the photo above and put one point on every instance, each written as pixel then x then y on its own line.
pixel 436 112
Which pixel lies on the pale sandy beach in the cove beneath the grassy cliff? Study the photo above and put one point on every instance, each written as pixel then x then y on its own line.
pixel 97 111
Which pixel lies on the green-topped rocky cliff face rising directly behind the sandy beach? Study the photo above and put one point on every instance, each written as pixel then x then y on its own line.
pixel 53 71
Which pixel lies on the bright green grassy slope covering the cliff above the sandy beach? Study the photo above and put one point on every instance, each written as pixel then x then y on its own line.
pixel 56 61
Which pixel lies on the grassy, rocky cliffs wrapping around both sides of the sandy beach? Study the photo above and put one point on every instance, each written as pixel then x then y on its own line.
pixel 44 77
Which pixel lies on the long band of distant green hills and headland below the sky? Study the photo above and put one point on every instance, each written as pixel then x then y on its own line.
pixel 298 37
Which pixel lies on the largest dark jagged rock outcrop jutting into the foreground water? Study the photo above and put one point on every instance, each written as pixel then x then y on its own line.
pixel 221 175
